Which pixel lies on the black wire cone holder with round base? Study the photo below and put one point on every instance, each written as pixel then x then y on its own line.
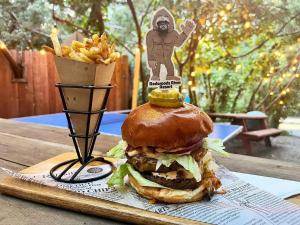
pixel 87 158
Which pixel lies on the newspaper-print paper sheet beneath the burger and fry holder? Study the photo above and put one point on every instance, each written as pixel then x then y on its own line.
pixel 242 204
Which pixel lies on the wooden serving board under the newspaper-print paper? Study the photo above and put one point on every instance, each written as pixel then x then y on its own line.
pixel 81 203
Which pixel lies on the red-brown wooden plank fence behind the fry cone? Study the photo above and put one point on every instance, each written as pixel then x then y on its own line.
pixel 35 93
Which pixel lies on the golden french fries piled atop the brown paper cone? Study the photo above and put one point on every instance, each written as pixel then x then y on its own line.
pixel 90 50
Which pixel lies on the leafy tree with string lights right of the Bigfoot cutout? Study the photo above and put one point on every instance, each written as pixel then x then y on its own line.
pixel 243 56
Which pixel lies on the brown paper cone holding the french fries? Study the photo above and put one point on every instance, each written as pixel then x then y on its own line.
pixel 79 73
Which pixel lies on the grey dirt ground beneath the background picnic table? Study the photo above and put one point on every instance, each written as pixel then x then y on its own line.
pixel 286 148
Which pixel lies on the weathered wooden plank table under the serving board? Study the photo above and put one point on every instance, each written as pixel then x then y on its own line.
pixel 23 145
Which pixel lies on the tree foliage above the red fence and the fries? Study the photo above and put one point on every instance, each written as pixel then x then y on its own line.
pixel 27 24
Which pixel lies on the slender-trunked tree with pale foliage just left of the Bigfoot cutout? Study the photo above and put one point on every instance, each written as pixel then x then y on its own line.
pixel 131 32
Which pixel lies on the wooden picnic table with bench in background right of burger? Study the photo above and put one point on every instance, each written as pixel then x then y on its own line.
pixel 258 131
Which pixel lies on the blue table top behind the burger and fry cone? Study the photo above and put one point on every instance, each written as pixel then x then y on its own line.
pixel 112 122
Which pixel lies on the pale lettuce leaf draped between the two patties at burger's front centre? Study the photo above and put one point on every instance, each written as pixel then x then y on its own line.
pixel 186 161
